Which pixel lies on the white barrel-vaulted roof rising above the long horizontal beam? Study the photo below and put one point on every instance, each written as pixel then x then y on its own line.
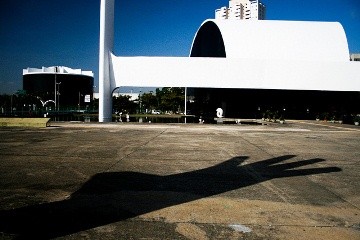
pixel 283 40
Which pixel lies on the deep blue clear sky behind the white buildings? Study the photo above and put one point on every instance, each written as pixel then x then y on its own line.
pixel 36 33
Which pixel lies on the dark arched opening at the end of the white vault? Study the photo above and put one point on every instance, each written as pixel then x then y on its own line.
pixel 208 42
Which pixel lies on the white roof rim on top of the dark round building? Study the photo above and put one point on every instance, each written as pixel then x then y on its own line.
pixel 58 70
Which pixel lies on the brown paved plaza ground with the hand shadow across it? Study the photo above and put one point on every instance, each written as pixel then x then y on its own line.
pixel 300 180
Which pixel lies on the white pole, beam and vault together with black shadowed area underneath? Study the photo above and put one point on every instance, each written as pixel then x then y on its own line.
pixel 245 68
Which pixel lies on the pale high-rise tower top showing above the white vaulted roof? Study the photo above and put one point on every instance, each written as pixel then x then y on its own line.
pixel 242 10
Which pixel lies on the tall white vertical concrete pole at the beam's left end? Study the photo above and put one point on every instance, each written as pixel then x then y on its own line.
pixel 106 47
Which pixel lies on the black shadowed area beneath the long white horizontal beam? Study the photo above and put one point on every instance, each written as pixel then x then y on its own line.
pixel 259 103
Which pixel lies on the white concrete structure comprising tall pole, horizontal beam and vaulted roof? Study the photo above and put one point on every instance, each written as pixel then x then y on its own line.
pixel 278 55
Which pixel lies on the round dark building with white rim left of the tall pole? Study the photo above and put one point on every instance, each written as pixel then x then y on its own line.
pixel 63 86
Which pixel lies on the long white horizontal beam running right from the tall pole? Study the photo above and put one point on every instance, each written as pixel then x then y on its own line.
pixel 236 73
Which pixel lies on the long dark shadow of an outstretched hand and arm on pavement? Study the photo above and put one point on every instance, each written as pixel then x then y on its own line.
pixel 115 196
